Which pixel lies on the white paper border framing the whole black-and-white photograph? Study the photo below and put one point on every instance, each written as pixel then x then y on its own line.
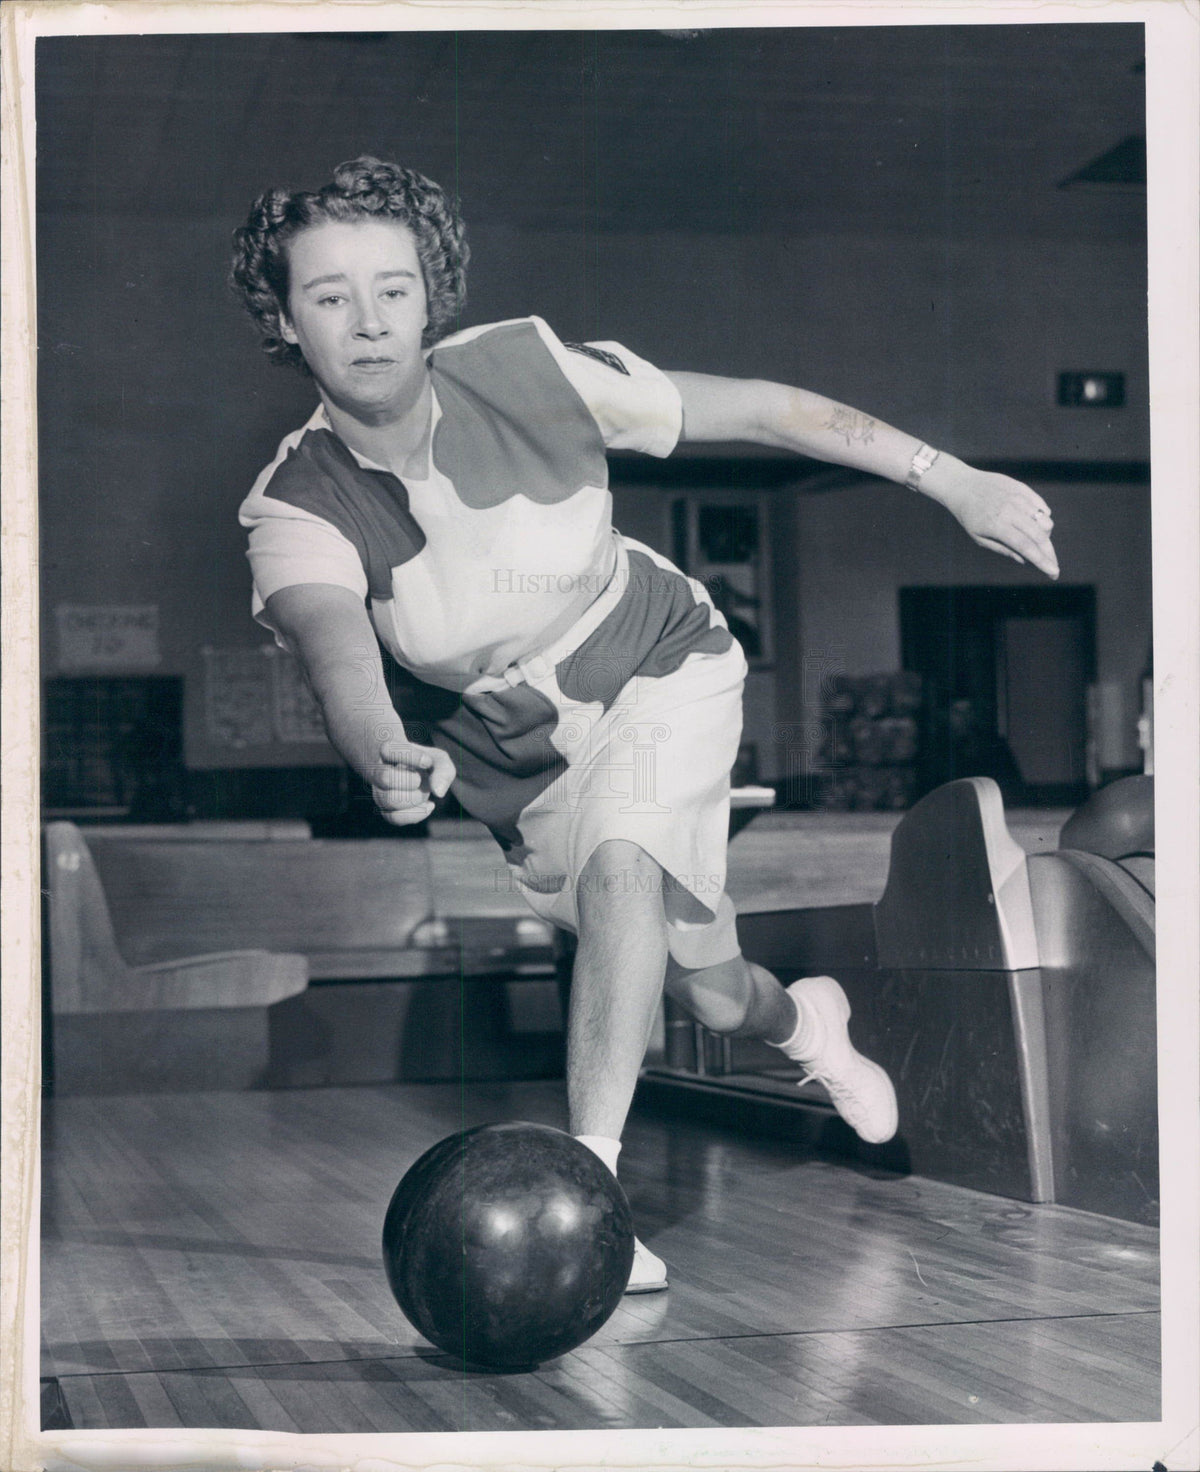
pixel 1173 83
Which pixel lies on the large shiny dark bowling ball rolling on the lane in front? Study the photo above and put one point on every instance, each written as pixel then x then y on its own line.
pixel 509 1245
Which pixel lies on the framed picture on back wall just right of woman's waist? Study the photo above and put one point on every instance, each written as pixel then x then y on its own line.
pixel 719 538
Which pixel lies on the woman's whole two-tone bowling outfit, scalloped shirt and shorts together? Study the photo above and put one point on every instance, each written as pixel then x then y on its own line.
pixel 596 688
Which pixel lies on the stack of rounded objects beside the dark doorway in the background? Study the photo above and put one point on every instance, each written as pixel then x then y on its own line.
pixel 871 744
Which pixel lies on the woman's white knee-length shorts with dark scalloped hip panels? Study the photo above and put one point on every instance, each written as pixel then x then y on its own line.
pixel 627 728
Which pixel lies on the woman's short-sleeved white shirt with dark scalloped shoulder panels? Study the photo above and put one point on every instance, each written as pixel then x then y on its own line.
pixel 507 539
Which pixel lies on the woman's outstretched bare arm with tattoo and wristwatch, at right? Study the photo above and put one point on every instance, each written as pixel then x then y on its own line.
pixel 998 512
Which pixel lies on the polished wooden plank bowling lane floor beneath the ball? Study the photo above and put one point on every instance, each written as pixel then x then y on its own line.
pixel 213 1261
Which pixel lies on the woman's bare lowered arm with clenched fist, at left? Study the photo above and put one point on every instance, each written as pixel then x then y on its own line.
pixel 332 634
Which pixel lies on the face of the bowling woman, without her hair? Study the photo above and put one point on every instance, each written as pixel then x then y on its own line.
pixel 357 311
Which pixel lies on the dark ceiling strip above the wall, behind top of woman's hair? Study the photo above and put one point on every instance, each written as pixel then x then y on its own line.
pixel 912 129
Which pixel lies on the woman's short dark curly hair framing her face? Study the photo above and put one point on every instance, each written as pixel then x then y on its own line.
pixel 361 189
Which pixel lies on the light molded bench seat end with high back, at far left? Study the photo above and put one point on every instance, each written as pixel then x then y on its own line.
pixel 183 1024
